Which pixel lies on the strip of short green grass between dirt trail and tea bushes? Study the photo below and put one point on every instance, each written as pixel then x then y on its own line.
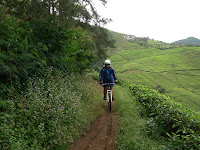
pixel 132 132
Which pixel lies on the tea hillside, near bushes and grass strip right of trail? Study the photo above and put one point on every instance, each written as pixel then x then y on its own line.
pixel 165 82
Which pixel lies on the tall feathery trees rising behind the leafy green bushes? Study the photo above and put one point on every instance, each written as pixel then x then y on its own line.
pixel 70 13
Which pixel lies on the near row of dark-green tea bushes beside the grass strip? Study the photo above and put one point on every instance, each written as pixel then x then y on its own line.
pixel 181 124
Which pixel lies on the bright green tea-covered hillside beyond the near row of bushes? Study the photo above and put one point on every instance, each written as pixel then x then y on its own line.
pixel 176 70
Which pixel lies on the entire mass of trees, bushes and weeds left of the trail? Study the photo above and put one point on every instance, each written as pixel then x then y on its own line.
pixel 47 111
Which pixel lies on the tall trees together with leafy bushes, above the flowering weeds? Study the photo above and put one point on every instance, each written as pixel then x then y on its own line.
pixel 34 34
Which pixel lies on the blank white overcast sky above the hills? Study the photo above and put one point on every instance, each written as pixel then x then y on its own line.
pixel 163 20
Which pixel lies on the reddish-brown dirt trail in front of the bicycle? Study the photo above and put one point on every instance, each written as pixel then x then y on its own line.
pixel 102 134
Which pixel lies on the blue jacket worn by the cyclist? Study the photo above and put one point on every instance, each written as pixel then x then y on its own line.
pixel 107 73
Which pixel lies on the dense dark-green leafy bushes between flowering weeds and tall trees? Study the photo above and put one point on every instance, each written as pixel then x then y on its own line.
pixel 26 48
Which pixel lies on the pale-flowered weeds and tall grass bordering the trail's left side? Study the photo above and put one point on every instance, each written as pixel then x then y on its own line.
pixel 51 113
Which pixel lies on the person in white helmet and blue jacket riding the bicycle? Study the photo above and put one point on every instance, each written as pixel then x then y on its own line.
pixel 107 75
